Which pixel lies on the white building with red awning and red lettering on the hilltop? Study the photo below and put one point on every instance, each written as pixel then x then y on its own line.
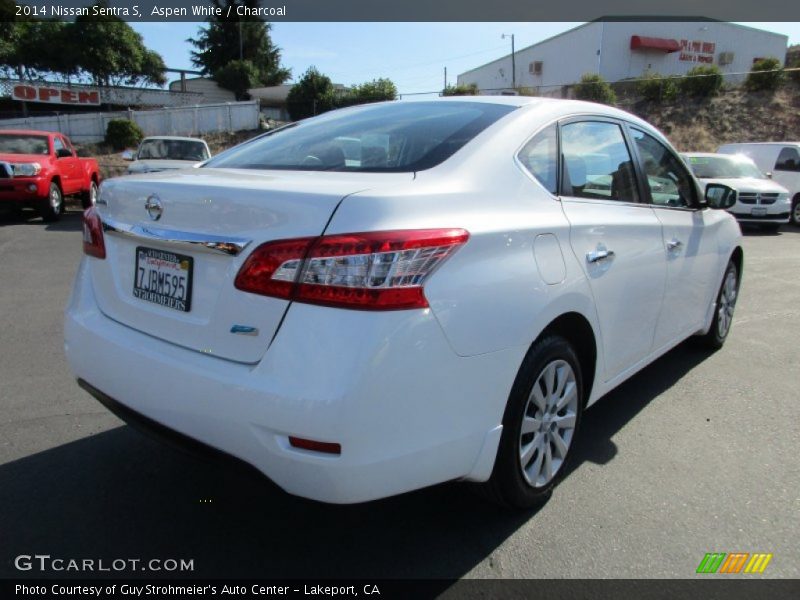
pixel 624 50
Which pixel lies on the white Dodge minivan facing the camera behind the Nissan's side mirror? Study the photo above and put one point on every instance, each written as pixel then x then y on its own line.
pixel 760 201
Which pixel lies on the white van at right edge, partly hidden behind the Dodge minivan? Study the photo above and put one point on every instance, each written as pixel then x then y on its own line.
pixel 780 161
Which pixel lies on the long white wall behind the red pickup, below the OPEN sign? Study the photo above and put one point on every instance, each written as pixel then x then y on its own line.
pixel 190 120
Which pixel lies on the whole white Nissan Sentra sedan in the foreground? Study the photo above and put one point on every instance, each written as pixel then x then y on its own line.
pixel 445 309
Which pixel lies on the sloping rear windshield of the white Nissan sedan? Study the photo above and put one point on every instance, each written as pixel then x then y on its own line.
pixel 396 137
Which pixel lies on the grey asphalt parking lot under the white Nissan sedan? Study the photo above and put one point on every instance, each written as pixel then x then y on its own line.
pixel 698 453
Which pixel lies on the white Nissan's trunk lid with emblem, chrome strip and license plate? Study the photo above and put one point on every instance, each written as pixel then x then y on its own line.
pixel 209 221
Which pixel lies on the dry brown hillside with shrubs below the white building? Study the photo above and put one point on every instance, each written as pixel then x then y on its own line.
pixel 701 125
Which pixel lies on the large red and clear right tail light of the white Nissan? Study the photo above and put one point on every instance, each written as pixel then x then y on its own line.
pixel 372 271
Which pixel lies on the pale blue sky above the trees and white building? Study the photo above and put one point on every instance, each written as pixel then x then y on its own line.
pixel 413 55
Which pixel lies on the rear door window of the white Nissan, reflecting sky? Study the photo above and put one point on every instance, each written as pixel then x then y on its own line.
pixel 596 163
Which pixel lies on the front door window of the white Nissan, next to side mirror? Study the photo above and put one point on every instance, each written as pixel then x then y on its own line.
pixel 668 179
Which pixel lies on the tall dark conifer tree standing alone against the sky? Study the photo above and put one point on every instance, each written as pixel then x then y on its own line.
pixel 226 39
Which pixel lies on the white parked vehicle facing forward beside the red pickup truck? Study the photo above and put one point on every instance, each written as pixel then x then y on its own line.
pixel 167 152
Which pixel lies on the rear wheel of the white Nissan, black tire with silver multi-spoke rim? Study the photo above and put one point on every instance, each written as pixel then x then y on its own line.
pixel 534 449
